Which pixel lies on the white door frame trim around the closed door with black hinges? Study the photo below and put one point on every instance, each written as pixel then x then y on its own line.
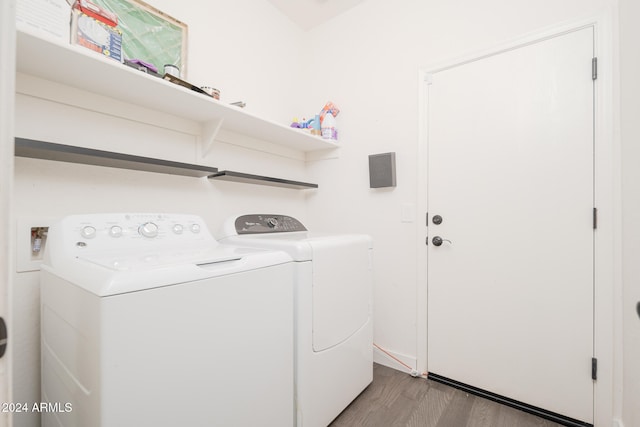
pixel 607 199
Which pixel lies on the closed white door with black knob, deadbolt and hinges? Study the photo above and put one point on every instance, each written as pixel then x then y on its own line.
pixel 510 171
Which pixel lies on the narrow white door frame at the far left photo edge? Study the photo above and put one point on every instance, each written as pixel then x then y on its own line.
pixel 7 96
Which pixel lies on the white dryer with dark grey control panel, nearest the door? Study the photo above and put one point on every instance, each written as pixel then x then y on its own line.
pixel 334 326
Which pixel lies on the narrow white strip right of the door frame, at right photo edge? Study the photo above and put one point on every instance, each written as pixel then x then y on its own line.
pixel 630 136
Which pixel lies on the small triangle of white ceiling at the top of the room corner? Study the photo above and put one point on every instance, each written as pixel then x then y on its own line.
pixel 310 13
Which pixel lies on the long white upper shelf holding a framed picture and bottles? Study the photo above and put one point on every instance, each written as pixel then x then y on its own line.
pixel 80 68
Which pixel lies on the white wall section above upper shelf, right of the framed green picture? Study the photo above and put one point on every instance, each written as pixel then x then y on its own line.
pixel 245 48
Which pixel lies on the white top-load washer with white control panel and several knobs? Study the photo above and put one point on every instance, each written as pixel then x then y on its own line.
pixel 148 321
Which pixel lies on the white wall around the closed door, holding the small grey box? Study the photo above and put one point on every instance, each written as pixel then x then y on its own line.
pixel 371 73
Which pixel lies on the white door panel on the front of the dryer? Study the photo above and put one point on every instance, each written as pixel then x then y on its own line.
pixel 342 288
